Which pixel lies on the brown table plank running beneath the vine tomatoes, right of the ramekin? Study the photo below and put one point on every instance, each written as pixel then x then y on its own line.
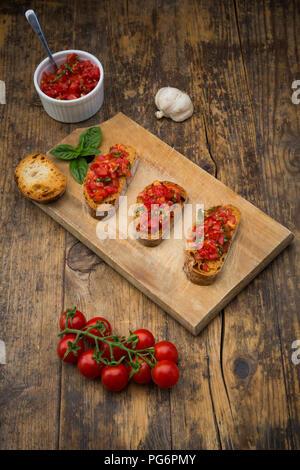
pixel 133 35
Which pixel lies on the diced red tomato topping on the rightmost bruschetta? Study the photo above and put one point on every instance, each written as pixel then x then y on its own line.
pixel 219 224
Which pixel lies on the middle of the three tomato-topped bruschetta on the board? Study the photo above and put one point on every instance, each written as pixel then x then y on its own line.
pixel 159 203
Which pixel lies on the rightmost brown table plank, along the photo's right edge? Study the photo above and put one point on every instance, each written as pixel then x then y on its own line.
pixel 268 35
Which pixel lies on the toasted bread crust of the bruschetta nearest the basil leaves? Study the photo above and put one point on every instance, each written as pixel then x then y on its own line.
pixel 99 211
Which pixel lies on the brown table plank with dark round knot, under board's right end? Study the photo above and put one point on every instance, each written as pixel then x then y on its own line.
pixel 245 357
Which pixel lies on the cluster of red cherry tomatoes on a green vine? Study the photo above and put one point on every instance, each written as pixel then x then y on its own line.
pixel 138 356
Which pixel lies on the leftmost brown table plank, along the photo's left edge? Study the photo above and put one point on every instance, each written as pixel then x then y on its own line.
pixel 32 248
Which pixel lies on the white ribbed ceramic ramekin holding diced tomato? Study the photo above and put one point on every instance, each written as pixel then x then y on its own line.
pixel 70 110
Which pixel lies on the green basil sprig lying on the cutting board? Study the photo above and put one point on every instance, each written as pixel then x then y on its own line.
pixel 88 144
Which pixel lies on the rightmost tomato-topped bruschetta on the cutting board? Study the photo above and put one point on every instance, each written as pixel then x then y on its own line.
pixel 209 242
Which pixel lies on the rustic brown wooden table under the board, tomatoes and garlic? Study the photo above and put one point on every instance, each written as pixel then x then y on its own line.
pixel 239 387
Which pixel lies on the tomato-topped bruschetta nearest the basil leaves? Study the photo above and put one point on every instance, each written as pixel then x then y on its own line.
pixel 108 178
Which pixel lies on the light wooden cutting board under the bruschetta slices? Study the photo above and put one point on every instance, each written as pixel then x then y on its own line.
pixel 158 271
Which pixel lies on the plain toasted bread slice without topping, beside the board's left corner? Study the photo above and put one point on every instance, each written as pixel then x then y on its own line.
pixel 39 179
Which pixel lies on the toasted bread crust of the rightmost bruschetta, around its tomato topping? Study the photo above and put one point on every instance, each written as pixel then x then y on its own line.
pixel 192 267
